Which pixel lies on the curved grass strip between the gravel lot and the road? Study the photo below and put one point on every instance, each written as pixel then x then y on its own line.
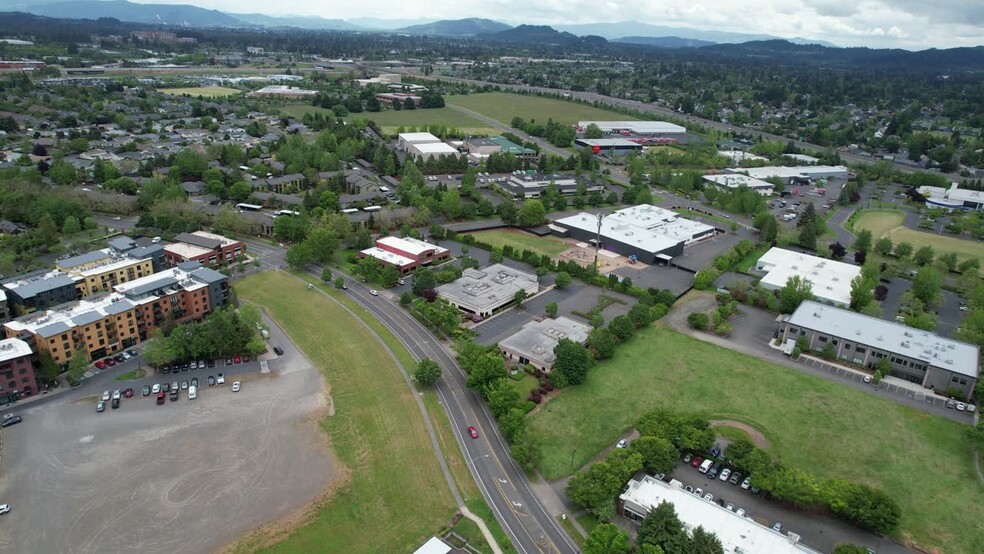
pixel 395 495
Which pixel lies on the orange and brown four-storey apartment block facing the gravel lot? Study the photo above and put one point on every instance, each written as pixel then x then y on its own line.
pixel 108 323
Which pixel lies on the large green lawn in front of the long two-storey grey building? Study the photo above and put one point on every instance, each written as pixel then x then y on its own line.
pixel 924 462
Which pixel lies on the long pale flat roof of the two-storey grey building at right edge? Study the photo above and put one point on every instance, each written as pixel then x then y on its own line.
pixel 958 357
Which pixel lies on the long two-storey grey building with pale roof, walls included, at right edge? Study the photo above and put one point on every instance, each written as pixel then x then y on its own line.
pixel 917 356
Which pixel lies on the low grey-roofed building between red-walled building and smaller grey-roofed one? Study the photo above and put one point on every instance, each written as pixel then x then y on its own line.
pixel 483 291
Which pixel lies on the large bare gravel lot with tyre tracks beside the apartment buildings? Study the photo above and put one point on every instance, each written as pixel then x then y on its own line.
pixel 186 476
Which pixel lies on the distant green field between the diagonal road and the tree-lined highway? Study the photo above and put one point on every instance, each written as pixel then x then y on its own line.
pixel 503 107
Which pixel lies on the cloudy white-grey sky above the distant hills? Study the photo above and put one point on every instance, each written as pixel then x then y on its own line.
pixel 911 24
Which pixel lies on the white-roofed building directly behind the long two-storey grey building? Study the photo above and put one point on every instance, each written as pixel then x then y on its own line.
pixel 831 279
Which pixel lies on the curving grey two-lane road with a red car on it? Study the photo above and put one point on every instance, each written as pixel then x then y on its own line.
pixel 500 479
